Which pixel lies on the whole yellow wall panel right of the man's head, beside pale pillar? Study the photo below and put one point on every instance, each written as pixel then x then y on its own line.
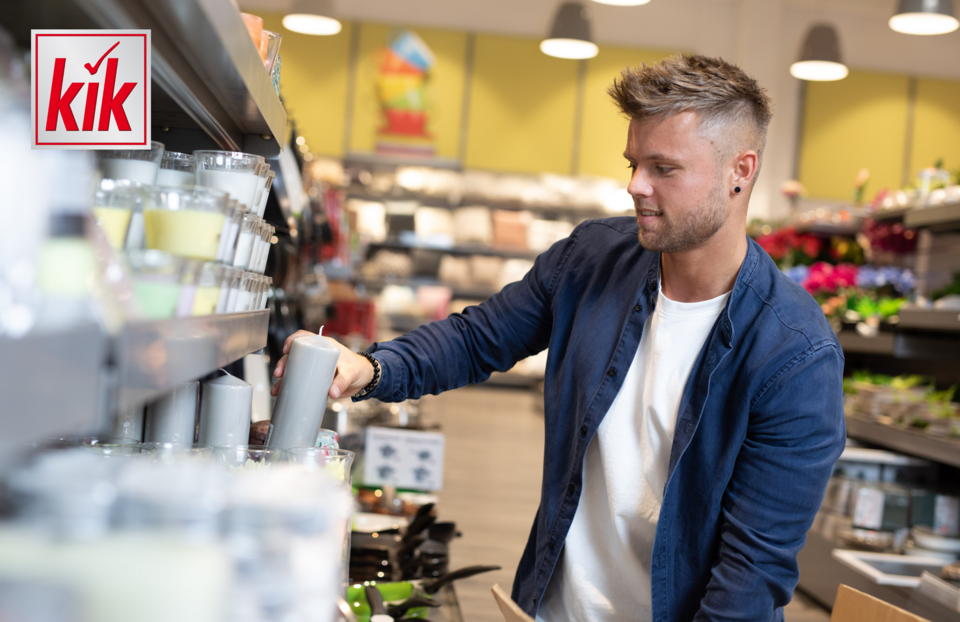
pixel 852 123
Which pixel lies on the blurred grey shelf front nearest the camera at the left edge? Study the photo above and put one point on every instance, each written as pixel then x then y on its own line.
pixel 50 385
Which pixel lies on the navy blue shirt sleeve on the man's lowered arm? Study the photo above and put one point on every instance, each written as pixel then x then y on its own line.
pixel 795 435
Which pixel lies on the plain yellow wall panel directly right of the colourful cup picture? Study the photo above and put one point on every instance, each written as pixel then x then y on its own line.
pixel 522 106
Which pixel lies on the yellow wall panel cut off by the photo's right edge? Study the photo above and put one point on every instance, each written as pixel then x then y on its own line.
pixel 936 129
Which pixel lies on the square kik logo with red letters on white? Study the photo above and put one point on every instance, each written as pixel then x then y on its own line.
pixel 99 77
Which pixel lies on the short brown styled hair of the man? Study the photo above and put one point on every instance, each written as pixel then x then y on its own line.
pixel 720 92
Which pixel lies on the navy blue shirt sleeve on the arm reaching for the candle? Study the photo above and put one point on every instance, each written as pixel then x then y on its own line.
pixel 465 348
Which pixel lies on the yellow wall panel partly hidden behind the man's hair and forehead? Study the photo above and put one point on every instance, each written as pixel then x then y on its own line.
pixel 604 129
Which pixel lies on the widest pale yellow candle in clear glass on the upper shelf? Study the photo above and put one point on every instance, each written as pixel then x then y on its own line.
pixel 187 233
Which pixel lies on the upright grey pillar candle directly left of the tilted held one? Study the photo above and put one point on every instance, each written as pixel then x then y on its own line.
pixel 225 411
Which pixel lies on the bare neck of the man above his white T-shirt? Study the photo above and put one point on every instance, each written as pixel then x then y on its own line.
pixel 707 271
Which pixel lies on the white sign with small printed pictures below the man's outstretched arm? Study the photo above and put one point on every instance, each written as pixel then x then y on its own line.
pixel 404 458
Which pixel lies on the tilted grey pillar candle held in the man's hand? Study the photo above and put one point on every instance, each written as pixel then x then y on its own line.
pixel 303 393
